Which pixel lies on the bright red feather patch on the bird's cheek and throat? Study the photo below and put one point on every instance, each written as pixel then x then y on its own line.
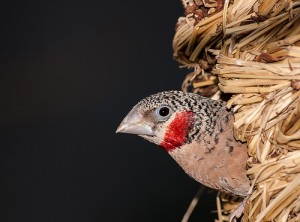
pixel 176 132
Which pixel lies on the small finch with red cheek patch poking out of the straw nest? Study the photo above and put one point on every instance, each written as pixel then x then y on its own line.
pixel 197 132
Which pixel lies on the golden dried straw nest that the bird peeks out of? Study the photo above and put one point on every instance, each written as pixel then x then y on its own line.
pixel 250 49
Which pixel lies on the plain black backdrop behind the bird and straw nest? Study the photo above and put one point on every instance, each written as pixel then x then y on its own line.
pixel 69 73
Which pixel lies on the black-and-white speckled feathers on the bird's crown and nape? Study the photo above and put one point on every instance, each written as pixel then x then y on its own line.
pixel 210 112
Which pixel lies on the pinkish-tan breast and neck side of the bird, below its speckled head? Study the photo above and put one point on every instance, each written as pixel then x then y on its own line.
pixel 214 159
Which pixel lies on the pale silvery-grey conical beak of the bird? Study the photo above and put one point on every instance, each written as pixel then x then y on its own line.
pixel 134 123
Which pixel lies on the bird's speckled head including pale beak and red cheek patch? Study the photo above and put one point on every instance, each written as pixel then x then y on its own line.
pixel 169 118
